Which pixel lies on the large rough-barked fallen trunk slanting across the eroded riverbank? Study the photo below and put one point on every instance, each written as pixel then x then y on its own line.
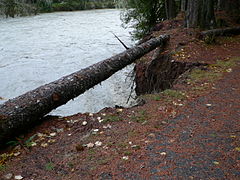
pixel 20 113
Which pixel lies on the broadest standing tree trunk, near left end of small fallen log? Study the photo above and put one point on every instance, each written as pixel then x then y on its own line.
pixel 200 13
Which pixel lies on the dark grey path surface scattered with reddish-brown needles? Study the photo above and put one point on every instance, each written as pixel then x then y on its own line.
pixel 201 143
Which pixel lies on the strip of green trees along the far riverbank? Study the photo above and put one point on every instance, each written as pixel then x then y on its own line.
pixel 11 8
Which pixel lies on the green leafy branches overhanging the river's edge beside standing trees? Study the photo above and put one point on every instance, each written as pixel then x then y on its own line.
pixel 143 15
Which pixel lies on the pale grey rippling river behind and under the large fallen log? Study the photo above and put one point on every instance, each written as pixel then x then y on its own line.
pixel 39 49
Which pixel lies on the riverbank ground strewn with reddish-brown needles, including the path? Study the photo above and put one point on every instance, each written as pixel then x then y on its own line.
pixel 189 132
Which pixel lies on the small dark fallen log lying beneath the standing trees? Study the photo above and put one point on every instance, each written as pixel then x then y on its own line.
pixel 219 32
